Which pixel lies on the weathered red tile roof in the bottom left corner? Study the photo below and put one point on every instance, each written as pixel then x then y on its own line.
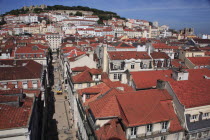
pixel 13 117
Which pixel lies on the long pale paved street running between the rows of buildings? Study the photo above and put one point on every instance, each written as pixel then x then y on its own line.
pixel 62 116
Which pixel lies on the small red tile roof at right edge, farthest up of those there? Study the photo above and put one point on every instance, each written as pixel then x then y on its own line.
pixel 200 61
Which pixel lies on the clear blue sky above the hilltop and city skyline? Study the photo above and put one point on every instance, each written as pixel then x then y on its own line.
pixel 177 14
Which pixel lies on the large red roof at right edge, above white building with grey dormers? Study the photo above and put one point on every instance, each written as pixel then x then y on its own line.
pixel 193 93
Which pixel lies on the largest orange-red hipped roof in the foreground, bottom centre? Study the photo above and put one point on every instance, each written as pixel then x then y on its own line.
pixel 138 108
